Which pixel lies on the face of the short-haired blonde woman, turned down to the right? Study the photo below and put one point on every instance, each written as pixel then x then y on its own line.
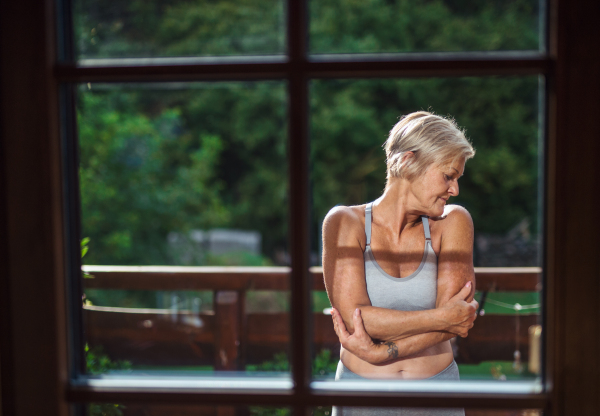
pixel 433 189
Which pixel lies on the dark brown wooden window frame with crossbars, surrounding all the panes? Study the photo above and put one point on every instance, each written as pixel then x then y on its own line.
pixel 35 371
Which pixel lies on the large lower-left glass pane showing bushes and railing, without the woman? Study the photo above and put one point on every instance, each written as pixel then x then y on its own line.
pixel 184 220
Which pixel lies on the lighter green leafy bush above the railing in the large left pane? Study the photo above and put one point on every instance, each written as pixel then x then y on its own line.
pixel 133 192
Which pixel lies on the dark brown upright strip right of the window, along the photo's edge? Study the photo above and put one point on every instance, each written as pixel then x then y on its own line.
pixel 573 260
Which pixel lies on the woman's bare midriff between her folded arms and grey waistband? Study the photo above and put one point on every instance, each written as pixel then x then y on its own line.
pixel 424 364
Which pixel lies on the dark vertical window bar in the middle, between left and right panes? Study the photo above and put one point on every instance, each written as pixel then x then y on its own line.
pixel 298 154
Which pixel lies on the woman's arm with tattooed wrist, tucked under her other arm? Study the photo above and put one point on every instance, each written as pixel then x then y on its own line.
pixel 455 273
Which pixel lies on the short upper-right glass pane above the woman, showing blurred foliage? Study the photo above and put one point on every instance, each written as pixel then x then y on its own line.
pixel 375 26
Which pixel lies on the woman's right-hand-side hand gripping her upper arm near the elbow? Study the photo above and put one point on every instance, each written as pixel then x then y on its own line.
pixel 458 314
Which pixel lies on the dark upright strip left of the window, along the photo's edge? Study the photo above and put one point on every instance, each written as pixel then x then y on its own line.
pixel 33 337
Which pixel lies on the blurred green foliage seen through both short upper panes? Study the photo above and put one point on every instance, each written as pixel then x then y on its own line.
pixel 109 28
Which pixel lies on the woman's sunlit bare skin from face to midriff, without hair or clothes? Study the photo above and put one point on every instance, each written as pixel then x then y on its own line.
pixel 385 342
